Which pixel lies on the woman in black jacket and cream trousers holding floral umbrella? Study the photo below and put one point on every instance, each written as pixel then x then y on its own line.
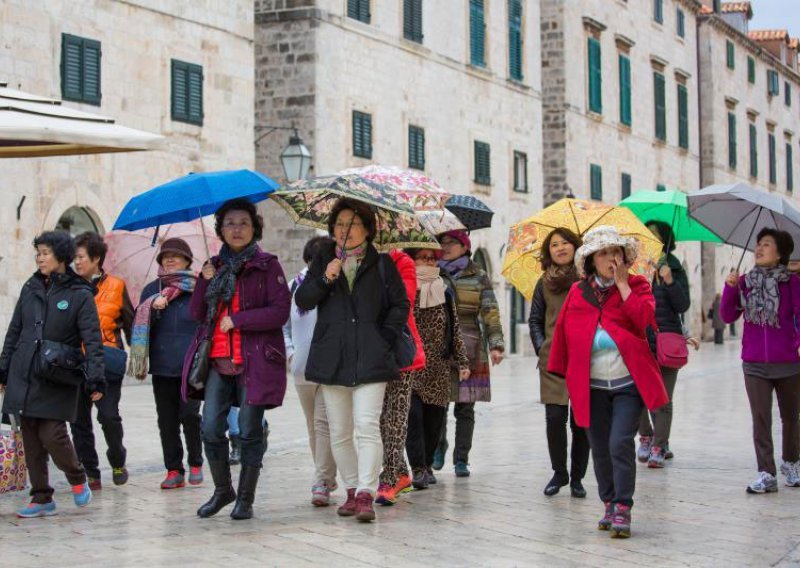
pixel 360 318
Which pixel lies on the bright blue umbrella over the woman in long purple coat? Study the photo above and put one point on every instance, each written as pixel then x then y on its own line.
pixel 192 196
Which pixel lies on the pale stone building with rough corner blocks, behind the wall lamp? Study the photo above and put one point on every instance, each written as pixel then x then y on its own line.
pixel 322 69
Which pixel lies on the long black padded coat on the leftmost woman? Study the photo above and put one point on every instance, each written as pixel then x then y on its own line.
pixel 70 317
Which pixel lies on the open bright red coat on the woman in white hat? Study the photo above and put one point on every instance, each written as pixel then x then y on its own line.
pixel 625 322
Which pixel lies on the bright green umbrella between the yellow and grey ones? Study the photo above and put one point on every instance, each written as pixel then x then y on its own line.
pixel 669 207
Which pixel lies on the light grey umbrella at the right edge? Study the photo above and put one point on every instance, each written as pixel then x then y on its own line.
pixel 737 212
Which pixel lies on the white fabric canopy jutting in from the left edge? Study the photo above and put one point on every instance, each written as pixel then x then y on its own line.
pixel 32 126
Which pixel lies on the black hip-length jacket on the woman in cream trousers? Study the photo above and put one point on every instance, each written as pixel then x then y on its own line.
pixel 354 335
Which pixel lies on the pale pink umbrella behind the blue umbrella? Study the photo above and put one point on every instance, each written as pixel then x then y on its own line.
pixel 132 254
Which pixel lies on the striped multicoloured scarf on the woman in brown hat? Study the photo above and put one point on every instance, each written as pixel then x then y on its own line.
pixel 172 286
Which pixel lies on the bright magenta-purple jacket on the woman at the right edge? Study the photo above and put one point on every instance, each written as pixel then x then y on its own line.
pixel 764 343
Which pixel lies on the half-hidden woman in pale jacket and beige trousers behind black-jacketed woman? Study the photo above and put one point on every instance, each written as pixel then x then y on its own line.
pixel 298 333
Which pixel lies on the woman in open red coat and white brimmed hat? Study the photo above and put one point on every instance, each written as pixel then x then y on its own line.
pixel 600 345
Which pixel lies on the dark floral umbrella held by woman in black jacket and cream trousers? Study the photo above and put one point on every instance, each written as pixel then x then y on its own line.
pixel 309 202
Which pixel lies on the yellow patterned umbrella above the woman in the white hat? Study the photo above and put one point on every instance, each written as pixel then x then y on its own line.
pixel 522 265
